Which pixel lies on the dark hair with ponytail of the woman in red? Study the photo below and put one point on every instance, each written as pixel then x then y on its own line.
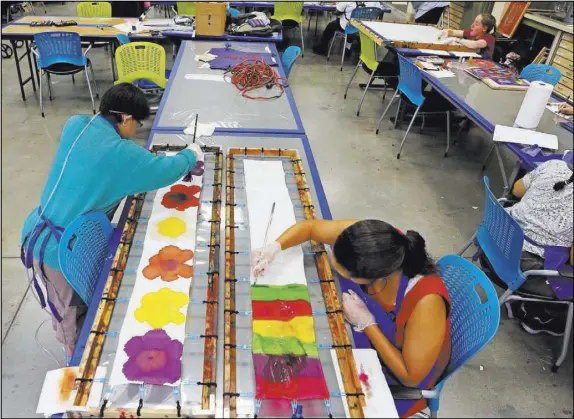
pixel 373 249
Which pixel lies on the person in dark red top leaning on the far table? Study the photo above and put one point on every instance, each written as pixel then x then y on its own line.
pixel 478 36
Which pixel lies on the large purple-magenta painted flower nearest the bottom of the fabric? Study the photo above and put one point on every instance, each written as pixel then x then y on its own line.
pixel 154 358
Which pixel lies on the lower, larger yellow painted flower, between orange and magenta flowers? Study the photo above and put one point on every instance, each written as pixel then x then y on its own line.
pixel 161 308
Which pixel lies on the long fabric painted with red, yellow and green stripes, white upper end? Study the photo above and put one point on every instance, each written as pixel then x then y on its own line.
pixel 285 354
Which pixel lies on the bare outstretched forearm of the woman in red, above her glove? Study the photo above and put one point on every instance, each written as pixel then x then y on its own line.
pixel 321 231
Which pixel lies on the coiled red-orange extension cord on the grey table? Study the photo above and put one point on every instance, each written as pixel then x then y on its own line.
pixel 250 75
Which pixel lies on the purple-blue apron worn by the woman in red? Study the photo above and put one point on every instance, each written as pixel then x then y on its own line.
pixel 387 322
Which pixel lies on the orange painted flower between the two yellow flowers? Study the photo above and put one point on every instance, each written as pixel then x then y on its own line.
pixel 169 264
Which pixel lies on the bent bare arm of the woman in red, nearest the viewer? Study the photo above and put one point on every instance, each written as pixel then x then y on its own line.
pixel 424 336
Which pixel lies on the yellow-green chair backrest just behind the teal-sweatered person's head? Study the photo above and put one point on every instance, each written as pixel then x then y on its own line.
pixel 141 61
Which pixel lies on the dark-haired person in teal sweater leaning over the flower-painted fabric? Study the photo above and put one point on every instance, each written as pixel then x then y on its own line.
pixel 94 168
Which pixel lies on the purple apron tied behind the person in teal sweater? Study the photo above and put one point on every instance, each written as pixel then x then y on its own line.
pixel 27 256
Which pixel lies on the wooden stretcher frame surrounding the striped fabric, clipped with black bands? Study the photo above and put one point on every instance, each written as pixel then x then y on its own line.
pixel 340 338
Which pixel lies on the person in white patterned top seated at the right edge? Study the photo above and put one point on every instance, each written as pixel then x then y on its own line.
pixel 545 215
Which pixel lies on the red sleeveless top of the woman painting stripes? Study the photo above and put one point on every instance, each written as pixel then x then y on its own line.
pixel 430 284
